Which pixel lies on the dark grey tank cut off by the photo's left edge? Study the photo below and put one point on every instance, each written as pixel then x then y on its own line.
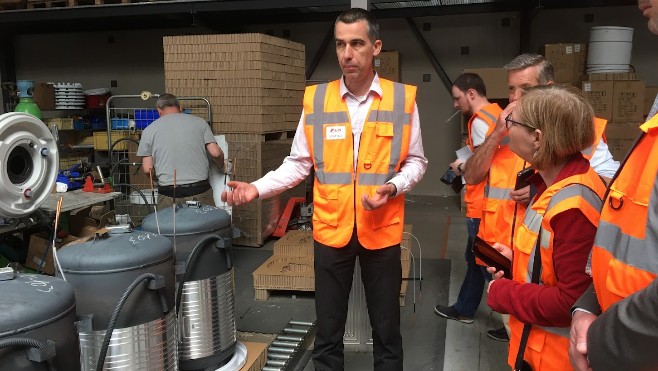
pixel 37 323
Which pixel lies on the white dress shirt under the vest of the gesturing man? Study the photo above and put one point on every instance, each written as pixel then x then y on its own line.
pixel 296 167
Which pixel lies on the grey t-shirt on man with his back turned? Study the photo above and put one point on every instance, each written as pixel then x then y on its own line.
pixel 177 141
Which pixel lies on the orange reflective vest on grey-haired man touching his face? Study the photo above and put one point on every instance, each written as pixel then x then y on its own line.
pixel 498 208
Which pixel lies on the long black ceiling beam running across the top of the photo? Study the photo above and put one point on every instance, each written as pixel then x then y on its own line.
pixel 232 14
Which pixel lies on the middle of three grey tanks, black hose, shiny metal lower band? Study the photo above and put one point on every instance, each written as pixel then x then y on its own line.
pixel 135 268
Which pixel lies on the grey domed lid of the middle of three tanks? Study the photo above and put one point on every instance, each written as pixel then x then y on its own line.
pixel 116 252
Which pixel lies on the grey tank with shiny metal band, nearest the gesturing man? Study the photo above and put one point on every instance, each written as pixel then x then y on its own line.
pixel 206 314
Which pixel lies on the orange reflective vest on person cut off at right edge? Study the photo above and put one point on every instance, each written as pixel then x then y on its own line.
pixel 625 253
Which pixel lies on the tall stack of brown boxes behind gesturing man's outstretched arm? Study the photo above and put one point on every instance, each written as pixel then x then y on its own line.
pixel 255 84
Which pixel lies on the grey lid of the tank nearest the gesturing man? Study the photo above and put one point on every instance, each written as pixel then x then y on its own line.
pixel 191 218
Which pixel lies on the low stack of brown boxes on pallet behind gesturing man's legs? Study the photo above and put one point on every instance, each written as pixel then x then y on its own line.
pixel 291 265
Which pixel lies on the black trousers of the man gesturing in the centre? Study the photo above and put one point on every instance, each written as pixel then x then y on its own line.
pixel 381 273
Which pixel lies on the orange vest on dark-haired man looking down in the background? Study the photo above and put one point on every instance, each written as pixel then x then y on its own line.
pixel 474 193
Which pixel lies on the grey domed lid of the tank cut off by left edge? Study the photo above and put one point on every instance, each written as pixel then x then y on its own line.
pixel 31 301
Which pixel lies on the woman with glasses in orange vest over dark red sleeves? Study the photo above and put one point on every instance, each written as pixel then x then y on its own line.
pixel 552 244
